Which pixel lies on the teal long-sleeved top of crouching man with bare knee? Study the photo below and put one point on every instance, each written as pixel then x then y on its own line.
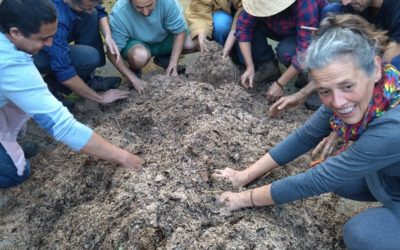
pixel 126 23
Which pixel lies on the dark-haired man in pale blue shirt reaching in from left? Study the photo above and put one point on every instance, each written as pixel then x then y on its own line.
pixel 26 27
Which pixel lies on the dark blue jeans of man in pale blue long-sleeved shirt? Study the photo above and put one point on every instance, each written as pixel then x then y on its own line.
pixel 8 171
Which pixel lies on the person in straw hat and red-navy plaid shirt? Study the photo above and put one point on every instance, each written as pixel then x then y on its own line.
pixel 281 21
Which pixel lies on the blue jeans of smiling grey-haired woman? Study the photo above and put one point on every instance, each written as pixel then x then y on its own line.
pixel 375 228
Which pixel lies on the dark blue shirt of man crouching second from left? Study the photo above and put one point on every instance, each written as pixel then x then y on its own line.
pixel 60 61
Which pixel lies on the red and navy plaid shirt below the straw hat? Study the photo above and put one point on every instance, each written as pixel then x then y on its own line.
pixel 285 23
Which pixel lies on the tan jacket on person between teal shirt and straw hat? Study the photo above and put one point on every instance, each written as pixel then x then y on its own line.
pixel 199 14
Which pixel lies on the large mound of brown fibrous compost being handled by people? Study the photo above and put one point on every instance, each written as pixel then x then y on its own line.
pixel 184 129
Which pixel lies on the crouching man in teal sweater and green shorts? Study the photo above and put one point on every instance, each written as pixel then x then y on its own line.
pixel 146 28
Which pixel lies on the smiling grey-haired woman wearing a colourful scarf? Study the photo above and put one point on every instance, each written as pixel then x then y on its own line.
pixel 361 99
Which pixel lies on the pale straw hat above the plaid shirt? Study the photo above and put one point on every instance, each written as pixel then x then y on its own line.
pixel 263 8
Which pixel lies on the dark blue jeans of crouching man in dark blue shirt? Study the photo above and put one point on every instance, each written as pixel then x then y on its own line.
pixel 86 54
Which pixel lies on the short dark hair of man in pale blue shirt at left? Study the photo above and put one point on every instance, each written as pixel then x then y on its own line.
pixel 26 15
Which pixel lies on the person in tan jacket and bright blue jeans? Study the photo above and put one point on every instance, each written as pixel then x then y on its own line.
pixel 215 19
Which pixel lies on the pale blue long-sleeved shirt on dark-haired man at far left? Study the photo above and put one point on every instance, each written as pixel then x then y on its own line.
pixel 22 84
